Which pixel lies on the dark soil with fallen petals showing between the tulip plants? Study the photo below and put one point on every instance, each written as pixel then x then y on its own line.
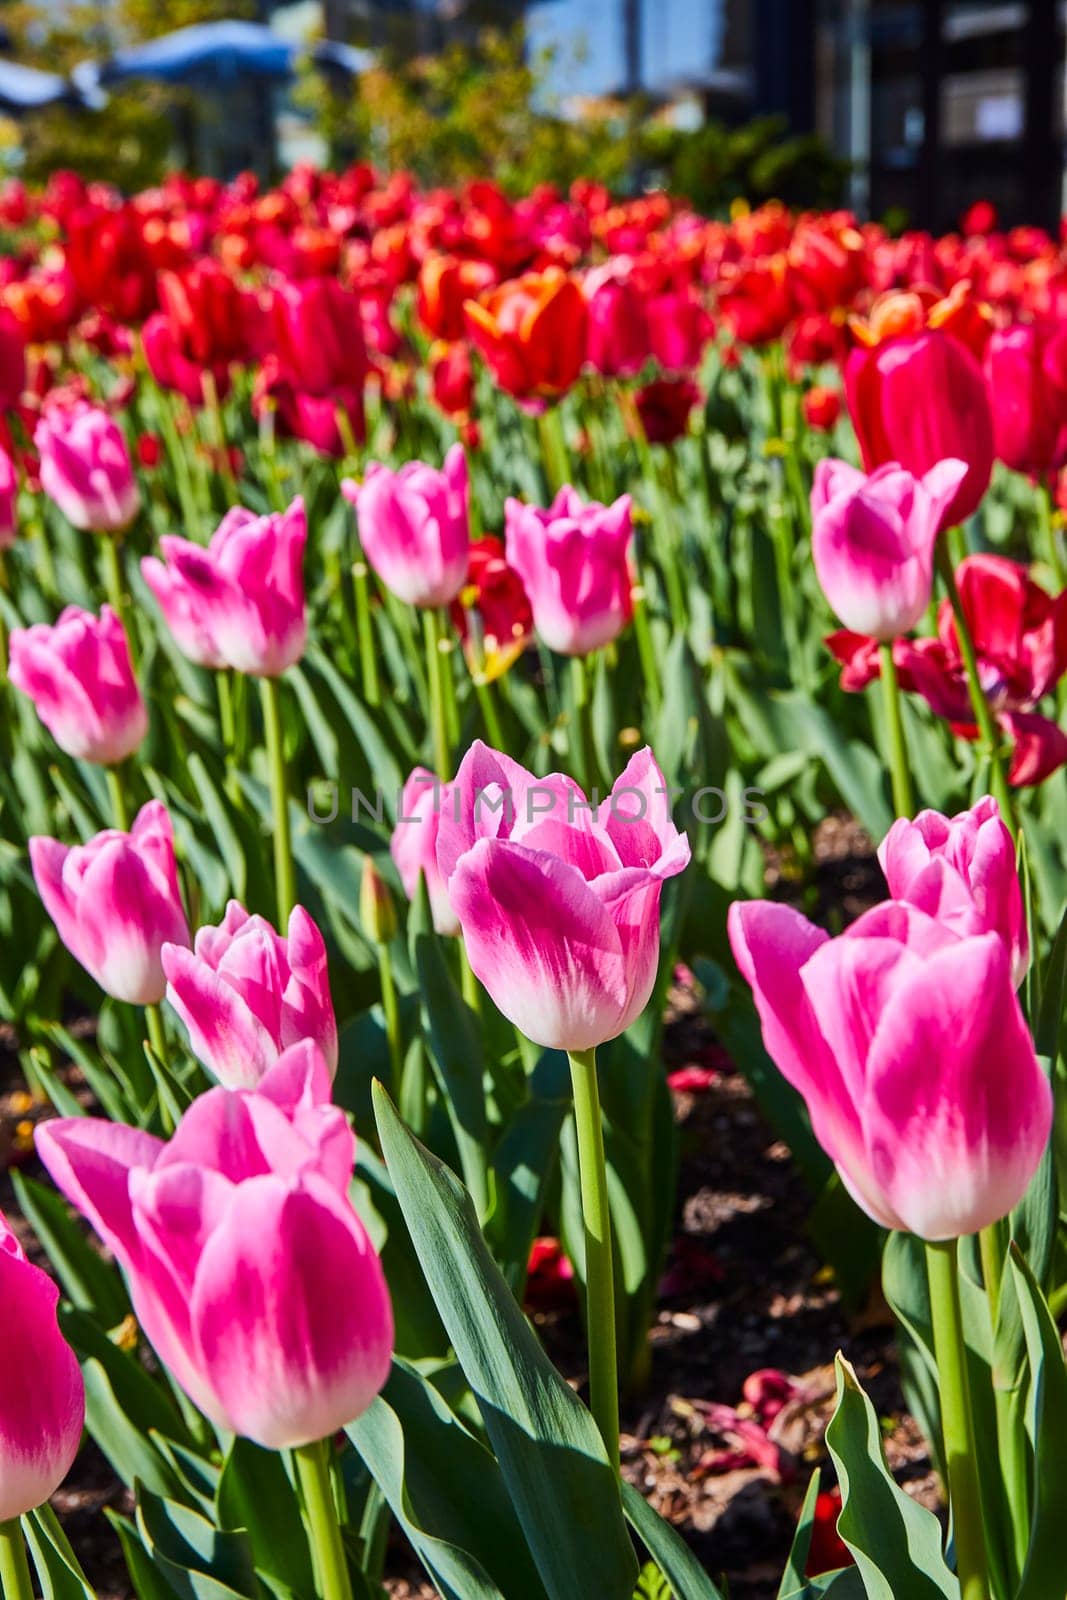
pixel 743 1294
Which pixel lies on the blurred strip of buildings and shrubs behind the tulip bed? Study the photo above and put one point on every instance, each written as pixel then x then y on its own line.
pixel 908 110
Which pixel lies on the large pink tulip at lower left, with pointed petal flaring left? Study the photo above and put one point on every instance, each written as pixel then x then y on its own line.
pixel 249 1268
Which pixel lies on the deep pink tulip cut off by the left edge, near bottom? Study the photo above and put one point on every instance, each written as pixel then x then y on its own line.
pixel 42 1396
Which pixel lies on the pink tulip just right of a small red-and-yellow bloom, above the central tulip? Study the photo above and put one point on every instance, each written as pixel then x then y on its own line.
pixel 575 567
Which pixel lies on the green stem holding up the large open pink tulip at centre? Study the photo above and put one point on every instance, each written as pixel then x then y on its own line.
pixel 604 1383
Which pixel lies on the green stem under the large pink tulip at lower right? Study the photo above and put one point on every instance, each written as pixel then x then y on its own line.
pixel 961 1460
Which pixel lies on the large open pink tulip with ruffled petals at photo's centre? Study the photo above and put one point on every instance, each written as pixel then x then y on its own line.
pixel 559 902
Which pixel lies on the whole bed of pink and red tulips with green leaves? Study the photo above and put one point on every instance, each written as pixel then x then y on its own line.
pixel 519 530
